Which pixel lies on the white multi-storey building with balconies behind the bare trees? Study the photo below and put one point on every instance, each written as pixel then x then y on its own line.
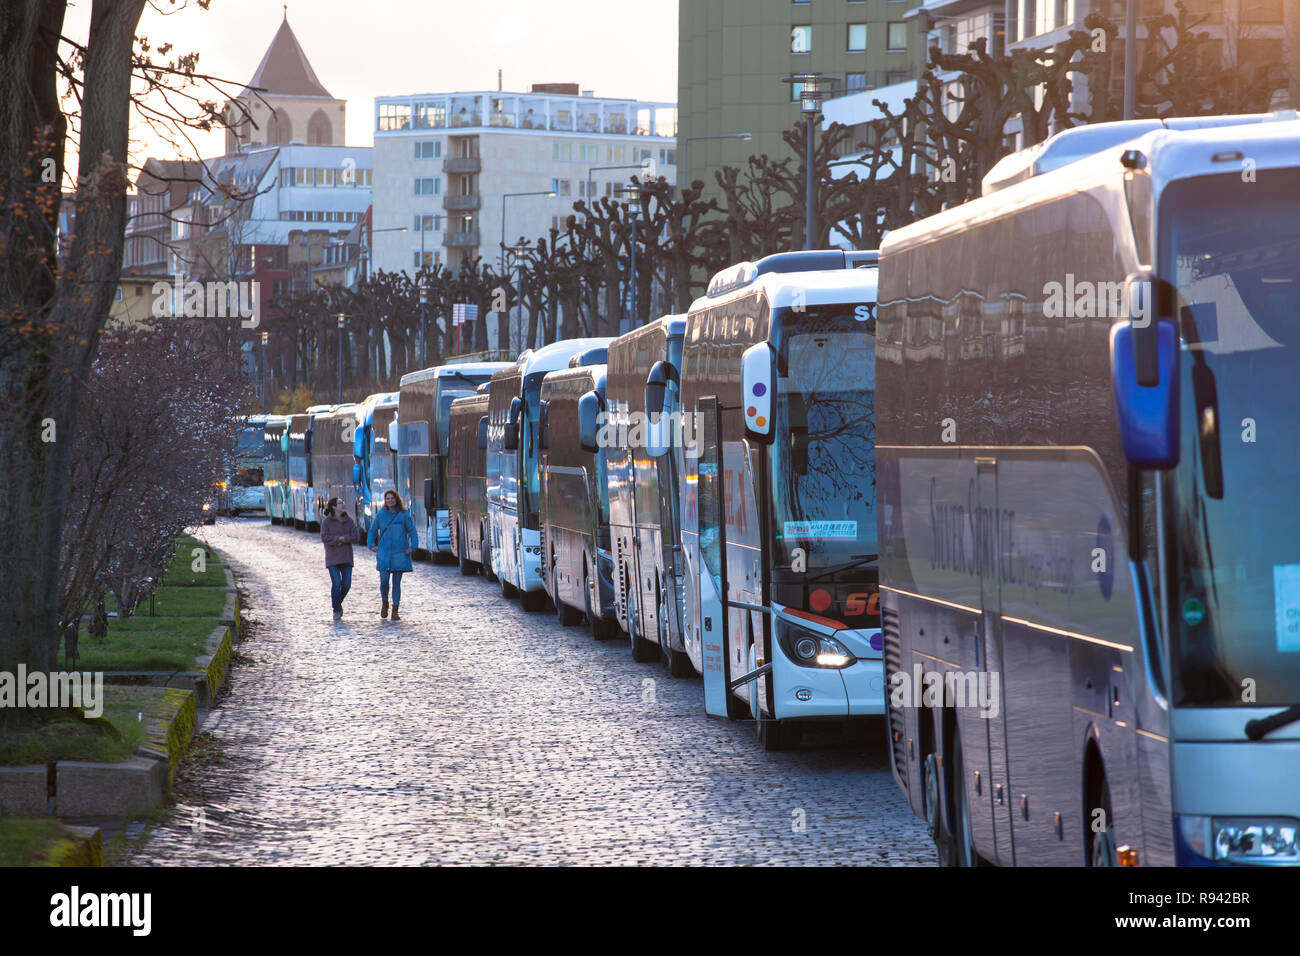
pixel 449 168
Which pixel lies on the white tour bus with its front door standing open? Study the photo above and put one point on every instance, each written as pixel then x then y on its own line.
pixel 778 495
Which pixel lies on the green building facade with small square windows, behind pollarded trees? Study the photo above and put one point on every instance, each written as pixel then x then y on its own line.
pixel 733 57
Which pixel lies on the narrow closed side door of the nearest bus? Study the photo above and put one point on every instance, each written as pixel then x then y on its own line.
pixel 989 559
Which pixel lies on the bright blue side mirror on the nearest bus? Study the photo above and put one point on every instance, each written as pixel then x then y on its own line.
pixel 1149 414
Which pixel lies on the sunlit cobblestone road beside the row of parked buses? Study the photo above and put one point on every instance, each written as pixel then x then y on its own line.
pixel 475 733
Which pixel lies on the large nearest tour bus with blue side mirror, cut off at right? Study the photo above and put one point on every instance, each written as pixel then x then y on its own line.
pixel 1090 550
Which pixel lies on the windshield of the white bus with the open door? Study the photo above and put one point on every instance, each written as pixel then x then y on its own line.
pixel 824 453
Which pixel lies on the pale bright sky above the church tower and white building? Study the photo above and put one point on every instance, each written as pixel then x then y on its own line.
pixel 367 49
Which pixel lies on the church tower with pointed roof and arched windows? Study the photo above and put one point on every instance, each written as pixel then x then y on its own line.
pixel 292 107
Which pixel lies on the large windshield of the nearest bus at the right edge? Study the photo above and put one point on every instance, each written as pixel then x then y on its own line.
pixel 1233 252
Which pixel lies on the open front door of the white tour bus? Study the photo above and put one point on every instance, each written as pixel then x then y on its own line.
pixel 713 560
